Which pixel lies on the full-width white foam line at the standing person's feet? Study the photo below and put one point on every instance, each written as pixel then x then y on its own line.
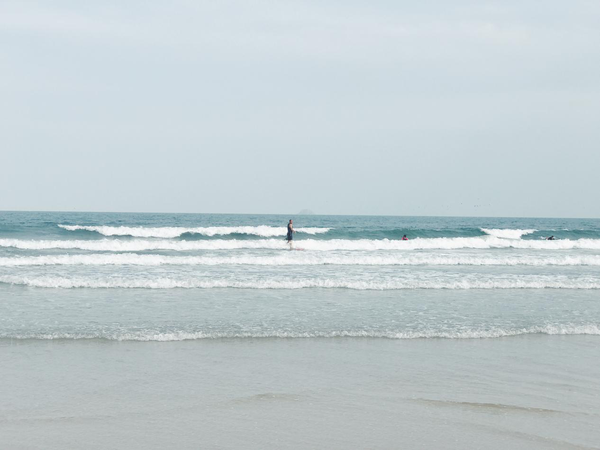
pixel 483 242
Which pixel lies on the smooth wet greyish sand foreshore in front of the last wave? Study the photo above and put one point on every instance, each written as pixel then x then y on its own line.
pixel 522 392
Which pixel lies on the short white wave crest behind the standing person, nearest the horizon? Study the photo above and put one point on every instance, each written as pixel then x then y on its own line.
pixel 173 232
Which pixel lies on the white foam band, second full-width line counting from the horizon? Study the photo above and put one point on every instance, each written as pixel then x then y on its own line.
pixel 302 259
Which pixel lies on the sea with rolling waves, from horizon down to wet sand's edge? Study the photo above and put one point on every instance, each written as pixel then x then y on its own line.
pixel 185 276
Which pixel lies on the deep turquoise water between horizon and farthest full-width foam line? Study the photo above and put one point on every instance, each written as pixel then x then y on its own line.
pixel 37 225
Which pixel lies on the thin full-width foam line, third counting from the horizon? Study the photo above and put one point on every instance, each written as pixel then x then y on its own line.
pixel 464 283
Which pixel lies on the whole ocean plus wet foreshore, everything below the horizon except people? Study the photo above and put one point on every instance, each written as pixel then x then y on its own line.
pixel 186 331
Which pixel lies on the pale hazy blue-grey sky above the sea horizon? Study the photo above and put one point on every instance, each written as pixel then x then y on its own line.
pixel 343 107
